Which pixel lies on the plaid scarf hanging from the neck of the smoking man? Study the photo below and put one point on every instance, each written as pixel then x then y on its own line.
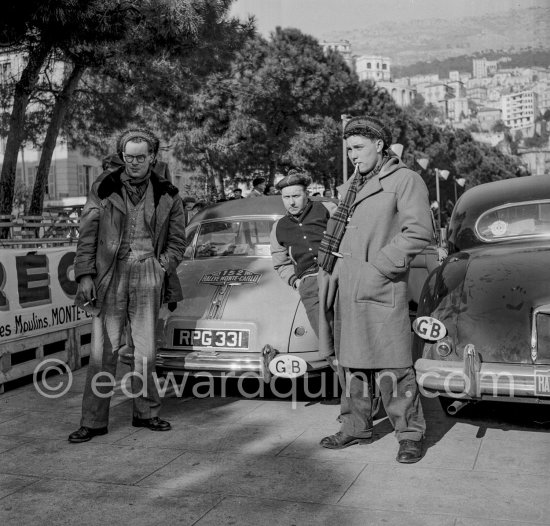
pixel 336 225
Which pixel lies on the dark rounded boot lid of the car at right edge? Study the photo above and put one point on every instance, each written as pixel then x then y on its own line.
pixel 494 307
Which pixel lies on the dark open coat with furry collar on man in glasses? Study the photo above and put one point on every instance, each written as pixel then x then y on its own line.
pixel 102 226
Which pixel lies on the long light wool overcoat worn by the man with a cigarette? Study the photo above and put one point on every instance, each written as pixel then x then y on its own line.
pixel 367 290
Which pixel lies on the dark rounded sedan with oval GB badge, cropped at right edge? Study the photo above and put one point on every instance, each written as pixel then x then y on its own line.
pixel 483 326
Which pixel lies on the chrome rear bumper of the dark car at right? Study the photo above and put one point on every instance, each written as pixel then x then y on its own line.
pixel 472 379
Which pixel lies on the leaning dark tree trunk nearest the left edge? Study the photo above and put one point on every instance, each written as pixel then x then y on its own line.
pixel 23 91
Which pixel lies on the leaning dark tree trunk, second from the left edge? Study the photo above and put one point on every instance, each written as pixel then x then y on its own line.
pixel 58 115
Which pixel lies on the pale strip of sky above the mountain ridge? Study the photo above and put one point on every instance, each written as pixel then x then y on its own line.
pixel 319 17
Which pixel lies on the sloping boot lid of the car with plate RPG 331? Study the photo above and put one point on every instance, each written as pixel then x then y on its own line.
pixel 261 297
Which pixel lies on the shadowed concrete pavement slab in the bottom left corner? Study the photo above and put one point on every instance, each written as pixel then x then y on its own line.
pixel 66 503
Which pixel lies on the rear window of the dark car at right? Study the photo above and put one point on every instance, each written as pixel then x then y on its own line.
pixel 515 220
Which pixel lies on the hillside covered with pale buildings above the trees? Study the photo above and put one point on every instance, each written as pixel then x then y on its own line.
pixel 504 107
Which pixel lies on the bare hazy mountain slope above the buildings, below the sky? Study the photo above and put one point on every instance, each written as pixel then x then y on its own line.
pixel 430 39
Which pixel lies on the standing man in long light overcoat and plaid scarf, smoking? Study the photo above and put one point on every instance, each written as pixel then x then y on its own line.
pixel 382 222
